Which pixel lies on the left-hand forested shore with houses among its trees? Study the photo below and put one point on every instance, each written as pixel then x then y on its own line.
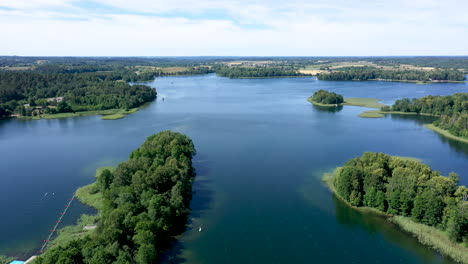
pixel 32 93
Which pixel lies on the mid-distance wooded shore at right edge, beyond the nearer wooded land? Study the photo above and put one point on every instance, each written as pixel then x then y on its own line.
pixel 452 109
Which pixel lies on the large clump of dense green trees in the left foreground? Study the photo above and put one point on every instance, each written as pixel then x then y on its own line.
pixel 145 204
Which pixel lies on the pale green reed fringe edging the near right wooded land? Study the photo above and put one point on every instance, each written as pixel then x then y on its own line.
pixel 426 235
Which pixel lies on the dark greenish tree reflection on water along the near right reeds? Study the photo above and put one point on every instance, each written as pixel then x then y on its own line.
pixel 378 225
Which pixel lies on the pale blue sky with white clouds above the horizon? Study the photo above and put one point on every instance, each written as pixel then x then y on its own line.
pixel 233 28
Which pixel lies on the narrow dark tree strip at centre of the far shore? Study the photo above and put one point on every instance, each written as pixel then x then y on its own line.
pixel 257 72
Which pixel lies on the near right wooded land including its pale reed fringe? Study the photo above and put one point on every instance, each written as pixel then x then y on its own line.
pixel 432 207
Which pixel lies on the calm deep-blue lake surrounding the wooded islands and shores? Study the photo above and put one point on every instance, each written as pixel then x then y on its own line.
pixel 262 149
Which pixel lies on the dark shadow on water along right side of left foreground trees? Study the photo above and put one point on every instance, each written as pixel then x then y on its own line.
pixel 202 201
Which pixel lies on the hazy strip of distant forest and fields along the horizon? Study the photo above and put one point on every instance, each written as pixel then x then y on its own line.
pixel 445 62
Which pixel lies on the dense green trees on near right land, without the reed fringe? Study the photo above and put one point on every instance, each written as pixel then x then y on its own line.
pixel 406 187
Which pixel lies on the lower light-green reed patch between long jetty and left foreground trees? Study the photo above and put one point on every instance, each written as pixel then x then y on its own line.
pixel 73 232
